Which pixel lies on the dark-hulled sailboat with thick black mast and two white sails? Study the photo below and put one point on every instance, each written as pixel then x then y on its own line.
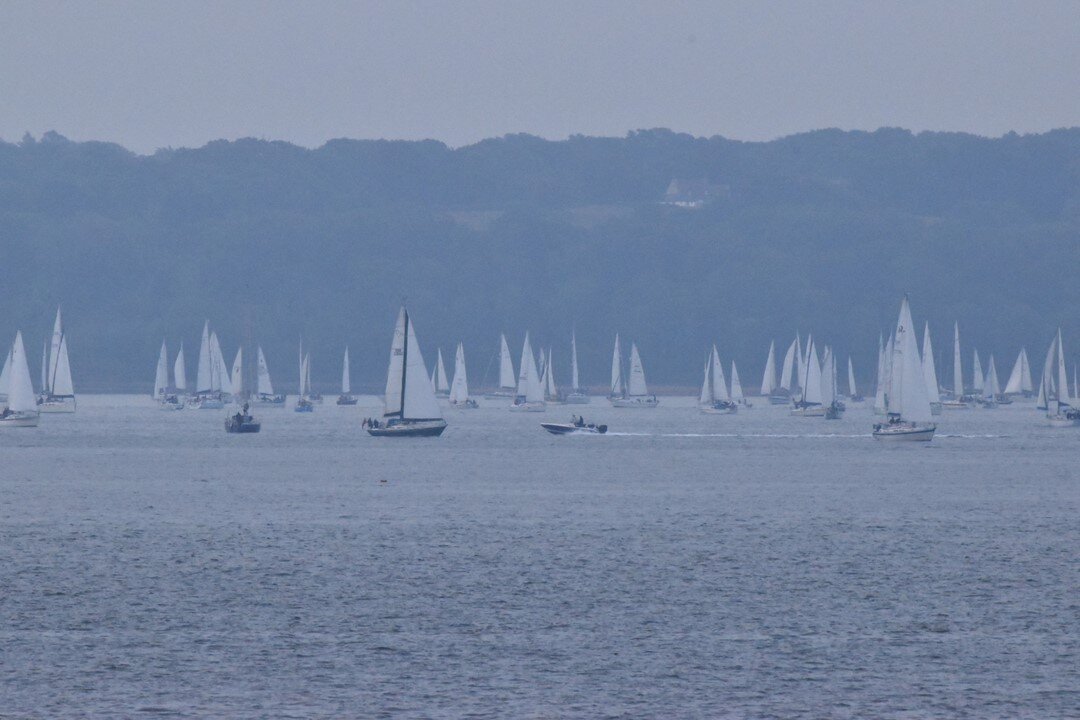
pixel 412 410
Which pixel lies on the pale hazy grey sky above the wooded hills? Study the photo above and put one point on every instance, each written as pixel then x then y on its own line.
pixel 153 74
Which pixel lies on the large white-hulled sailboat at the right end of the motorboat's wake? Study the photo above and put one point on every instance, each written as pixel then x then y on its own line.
pixel 907 403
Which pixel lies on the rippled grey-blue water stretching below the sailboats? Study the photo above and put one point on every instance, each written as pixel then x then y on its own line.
pixel 682 566
